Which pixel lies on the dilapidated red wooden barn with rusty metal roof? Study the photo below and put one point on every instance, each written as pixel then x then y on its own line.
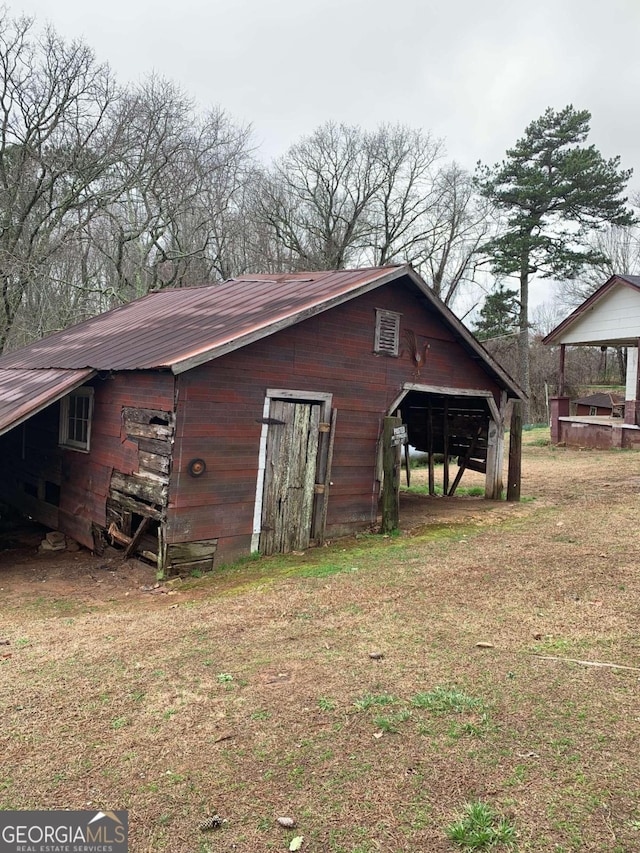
pixel 200 424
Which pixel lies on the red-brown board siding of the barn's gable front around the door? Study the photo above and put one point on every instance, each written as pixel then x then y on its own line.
pixel 220 406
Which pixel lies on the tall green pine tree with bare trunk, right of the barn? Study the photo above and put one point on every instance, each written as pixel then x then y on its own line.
pixel 553 191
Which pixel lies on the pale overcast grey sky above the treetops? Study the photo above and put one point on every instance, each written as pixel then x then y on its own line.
pixel 473 72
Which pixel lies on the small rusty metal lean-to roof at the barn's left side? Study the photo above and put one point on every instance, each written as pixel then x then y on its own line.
pixel 25 392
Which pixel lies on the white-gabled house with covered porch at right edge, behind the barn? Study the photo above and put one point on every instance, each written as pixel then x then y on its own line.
pixel 610 317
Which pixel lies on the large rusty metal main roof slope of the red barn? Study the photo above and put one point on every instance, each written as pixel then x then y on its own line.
pixel 192 325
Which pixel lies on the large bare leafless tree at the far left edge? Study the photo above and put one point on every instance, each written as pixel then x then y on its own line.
pixel 56 142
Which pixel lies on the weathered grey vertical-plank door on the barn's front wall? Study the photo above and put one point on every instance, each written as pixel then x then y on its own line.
pixel 292 453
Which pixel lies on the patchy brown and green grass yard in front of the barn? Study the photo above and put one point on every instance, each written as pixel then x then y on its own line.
pixel 345 688
